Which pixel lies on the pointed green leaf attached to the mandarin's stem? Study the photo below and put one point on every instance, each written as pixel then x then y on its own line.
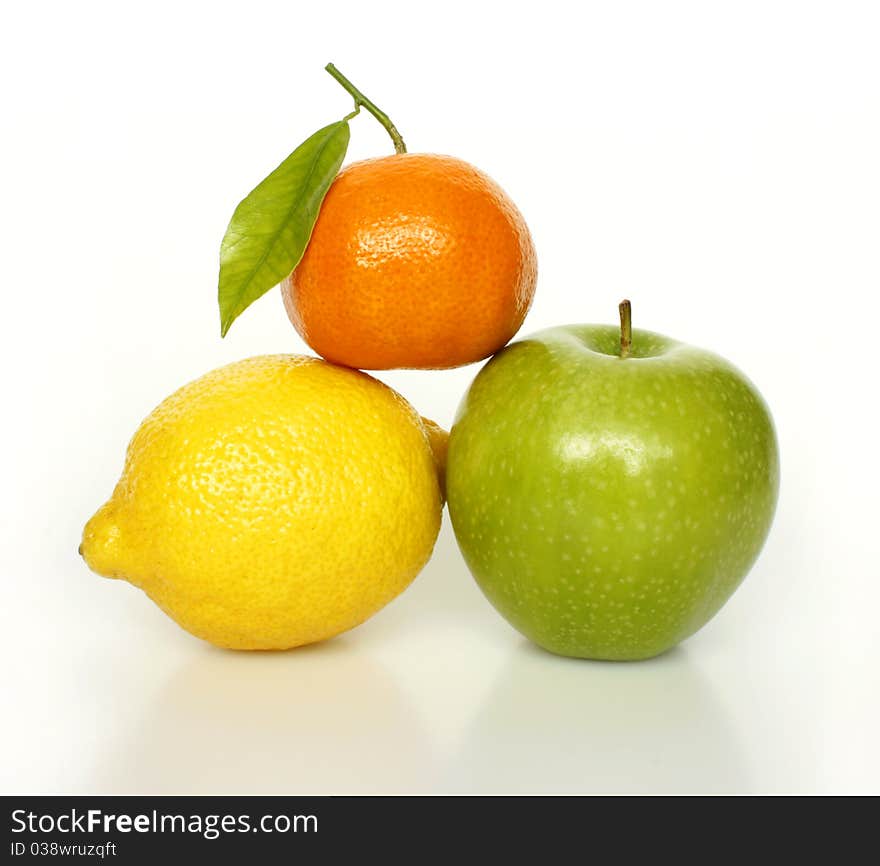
pixel 271 227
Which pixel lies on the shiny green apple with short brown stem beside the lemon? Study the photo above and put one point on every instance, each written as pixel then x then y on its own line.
pixel 610 488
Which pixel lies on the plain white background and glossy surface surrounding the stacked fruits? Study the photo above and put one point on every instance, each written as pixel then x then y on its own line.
pixel 719 163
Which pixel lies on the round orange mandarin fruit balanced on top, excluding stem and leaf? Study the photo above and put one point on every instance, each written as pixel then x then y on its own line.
pixel 416 260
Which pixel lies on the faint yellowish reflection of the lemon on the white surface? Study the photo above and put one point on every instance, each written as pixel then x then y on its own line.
pixel 320 720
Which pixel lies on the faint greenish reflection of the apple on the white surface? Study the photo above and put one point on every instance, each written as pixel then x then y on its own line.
pixel 554 725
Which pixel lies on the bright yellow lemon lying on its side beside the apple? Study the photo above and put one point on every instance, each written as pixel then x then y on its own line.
pixel 273 502
